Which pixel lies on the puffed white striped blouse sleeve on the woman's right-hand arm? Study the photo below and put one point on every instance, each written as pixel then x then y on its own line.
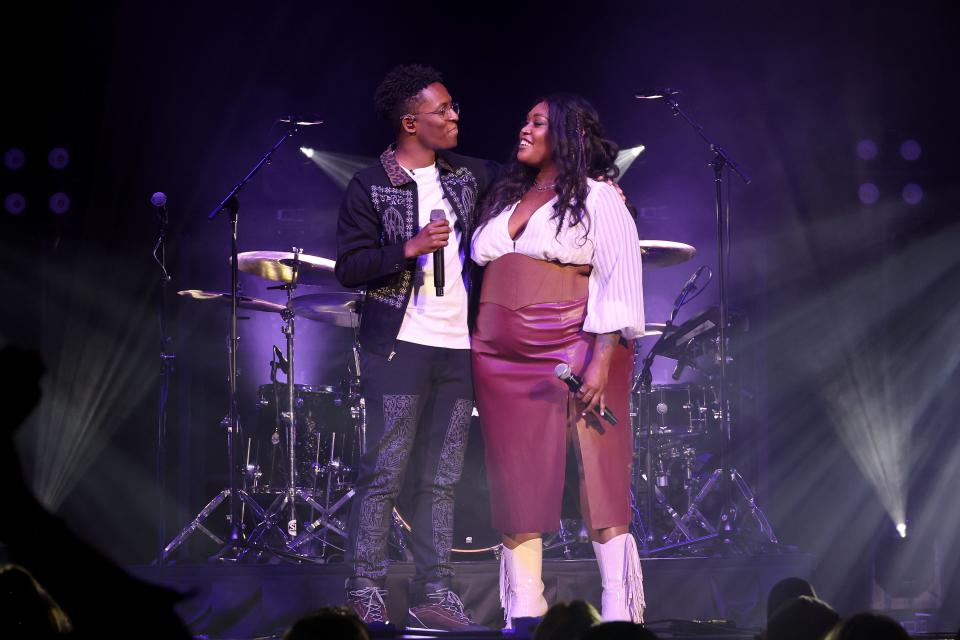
pixel 616 281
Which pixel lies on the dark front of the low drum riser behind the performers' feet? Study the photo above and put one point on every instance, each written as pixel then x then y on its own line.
pixel 258 600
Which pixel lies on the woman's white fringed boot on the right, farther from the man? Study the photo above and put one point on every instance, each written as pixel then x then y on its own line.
pixel 622 579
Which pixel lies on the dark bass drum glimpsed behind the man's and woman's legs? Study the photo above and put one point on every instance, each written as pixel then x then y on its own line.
pixel 473 537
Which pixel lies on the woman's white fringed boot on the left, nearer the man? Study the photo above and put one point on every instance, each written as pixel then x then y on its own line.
pixel 521 584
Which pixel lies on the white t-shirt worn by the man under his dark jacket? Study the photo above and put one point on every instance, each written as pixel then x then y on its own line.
pixel 429 319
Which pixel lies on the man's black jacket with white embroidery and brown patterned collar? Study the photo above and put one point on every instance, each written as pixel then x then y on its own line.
pixel 378 215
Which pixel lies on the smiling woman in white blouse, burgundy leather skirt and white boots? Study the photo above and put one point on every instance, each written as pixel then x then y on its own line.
pixel 562 284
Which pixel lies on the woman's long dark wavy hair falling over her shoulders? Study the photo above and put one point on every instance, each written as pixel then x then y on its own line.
pixel 580 151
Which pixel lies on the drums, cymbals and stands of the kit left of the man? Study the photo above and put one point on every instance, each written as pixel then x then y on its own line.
pixel 300 475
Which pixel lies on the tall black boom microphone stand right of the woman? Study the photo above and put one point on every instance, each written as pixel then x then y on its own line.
pixel 721 159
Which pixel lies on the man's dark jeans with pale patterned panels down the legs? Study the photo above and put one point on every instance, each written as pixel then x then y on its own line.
pixel 419 401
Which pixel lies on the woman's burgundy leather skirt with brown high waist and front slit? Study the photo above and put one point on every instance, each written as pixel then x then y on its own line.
pixel 530 319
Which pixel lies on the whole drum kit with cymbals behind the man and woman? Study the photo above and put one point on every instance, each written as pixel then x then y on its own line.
pixel 299 473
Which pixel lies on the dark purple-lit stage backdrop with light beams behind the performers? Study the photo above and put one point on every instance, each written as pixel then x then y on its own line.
pixel 184 98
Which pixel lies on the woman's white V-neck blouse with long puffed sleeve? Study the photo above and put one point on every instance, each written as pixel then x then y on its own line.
pixel 611 246
